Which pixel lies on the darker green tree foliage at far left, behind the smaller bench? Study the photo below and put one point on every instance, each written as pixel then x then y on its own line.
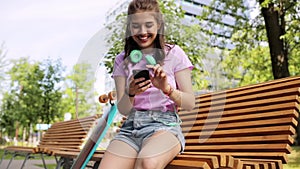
pixel 33 96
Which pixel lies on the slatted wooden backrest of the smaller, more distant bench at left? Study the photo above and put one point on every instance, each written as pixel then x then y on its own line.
pixel 68 134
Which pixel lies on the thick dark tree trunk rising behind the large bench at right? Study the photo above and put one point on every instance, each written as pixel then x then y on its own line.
pixel 275 28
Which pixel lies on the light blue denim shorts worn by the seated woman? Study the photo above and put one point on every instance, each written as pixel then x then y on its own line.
pixel 141 125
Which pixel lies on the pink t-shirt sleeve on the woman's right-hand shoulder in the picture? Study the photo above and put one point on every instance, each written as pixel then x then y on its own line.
pixel 181 59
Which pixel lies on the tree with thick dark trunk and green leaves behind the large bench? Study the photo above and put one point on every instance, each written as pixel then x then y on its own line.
pixel 266 41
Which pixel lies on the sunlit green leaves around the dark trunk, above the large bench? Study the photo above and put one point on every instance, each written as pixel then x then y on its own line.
pixel 250 60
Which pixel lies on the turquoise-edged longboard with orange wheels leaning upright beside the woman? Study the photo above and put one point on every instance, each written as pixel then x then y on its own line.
pixel 98 133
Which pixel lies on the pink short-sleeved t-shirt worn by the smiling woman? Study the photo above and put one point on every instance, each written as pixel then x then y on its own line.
pixel 153 98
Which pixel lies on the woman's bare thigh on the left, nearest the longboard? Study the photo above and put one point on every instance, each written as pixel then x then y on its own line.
pixel 118 155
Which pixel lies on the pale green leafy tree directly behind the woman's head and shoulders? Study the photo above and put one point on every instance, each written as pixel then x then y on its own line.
pixel 186 36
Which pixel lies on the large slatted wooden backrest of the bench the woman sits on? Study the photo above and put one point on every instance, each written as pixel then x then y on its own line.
pixel 256 121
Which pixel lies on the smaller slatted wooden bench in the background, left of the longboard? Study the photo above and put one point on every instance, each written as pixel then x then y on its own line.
pixel 61 135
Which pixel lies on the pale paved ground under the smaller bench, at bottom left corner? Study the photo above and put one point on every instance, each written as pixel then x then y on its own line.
pixel 30 164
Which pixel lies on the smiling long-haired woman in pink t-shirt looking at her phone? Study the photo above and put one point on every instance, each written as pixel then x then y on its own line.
pixel 151 136
